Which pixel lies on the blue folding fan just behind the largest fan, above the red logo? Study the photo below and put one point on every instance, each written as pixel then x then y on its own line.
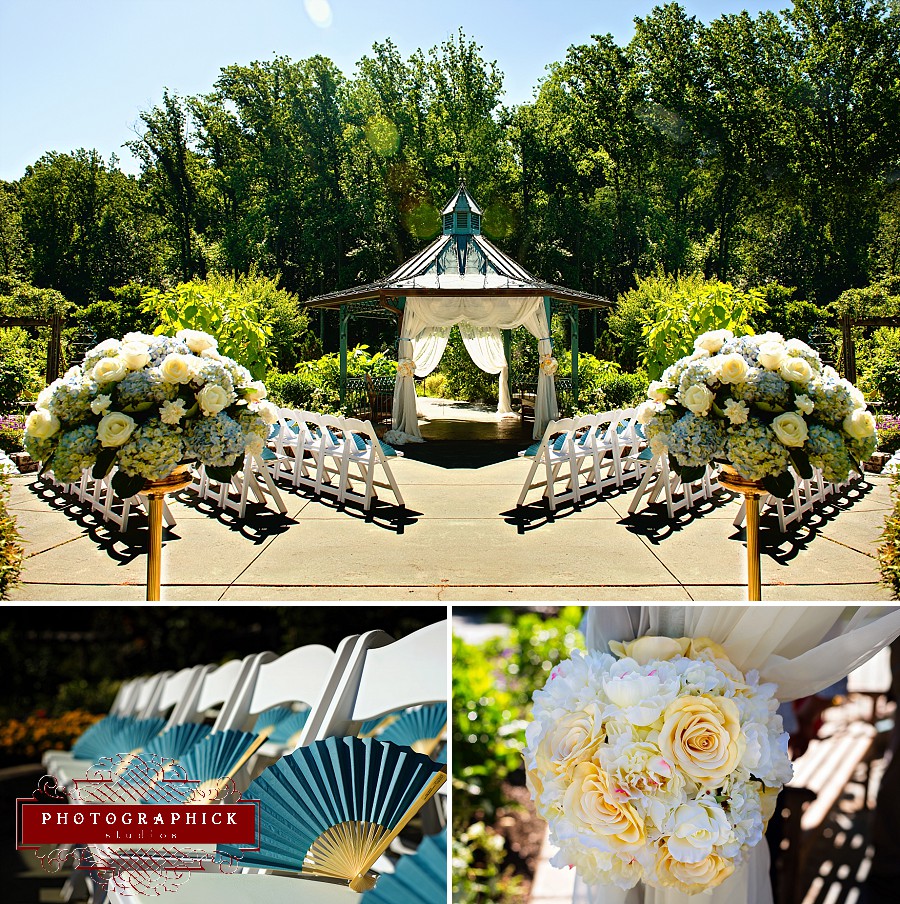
pixel 206 770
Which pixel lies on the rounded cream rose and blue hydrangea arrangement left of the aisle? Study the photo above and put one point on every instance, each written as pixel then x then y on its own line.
pixel 147 404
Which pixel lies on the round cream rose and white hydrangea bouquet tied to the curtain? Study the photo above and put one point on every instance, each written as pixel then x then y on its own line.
pixel 659 764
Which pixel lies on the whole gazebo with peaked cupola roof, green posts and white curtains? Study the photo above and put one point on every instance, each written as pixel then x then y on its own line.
pixel 462 279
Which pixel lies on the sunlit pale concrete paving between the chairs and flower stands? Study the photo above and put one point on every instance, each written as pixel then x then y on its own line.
pixel 460 540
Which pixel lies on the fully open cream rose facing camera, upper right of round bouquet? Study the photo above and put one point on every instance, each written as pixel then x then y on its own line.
pixel 702 737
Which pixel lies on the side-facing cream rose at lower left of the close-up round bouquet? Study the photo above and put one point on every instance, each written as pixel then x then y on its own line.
pixel 591 804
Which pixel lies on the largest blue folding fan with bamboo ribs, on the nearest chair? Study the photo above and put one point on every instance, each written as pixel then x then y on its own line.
pixel 331 809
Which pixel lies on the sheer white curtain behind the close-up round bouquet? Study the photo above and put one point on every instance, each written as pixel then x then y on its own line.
pixel 802 649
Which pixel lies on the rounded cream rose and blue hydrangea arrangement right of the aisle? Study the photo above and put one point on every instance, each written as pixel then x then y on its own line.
pixel 762 405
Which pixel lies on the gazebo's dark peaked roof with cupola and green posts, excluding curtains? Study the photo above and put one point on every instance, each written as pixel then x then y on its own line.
pixel 460 263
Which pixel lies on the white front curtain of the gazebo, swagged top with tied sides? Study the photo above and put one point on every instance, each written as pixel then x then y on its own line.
pixel 501 313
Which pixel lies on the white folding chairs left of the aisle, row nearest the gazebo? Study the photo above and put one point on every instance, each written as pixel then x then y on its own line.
pixel 331 455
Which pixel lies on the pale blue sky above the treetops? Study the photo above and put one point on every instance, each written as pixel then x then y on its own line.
pixel 76 73
